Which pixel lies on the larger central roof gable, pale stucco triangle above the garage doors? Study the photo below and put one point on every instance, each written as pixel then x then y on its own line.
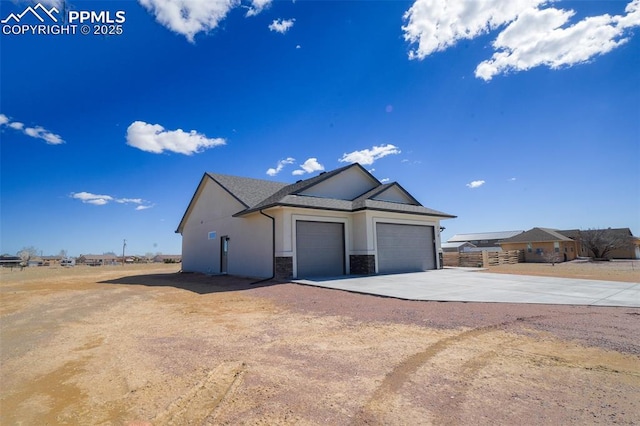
pixel 347 184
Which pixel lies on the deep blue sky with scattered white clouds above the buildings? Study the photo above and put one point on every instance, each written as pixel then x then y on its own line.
pixel 507 114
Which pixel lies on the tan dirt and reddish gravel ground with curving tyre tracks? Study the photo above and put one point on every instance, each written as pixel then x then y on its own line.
pixel 146 345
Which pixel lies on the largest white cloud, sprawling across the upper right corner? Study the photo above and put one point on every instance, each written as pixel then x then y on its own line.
pixel 532 35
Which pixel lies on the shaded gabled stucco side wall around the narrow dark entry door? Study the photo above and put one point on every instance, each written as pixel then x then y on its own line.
pixel 250 252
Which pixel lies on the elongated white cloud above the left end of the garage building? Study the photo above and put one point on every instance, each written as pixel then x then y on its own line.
pixel 154 138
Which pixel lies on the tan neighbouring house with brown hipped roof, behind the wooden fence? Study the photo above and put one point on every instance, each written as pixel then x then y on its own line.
pixel 542 245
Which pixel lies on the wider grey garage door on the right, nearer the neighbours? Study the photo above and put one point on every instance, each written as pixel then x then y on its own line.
pixel 405 248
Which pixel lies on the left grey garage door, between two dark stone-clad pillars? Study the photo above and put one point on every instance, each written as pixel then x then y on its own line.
pixel 319 249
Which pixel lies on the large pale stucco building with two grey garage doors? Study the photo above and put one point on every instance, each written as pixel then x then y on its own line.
pixel 340 222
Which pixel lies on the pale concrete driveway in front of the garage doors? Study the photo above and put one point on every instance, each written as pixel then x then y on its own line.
pixel 469 285
